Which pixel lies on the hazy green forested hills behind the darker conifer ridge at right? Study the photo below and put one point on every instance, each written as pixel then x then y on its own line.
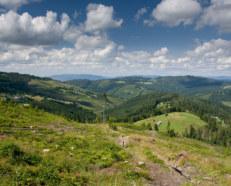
pixel 129 87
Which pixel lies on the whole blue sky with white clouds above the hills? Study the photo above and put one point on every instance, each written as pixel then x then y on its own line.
pixel 116 37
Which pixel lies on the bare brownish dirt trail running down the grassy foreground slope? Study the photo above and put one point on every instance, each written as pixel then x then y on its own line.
pixel 160 176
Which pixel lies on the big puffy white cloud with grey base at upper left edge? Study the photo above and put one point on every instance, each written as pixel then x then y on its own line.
pixel 27 30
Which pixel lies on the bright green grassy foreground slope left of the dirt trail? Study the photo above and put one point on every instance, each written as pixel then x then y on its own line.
pixel 37 148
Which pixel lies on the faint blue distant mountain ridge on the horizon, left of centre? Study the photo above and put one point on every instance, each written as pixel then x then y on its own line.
pixel 68 77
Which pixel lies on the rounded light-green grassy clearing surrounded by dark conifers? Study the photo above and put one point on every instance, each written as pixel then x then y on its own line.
pixel 179 121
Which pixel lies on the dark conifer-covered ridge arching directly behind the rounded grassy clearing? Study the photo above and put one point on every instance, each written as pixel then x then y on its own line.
pixel 144 106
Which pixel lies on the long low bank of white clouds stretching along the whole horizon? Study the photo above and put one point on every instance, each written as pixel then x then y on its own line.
pixel 99 55
